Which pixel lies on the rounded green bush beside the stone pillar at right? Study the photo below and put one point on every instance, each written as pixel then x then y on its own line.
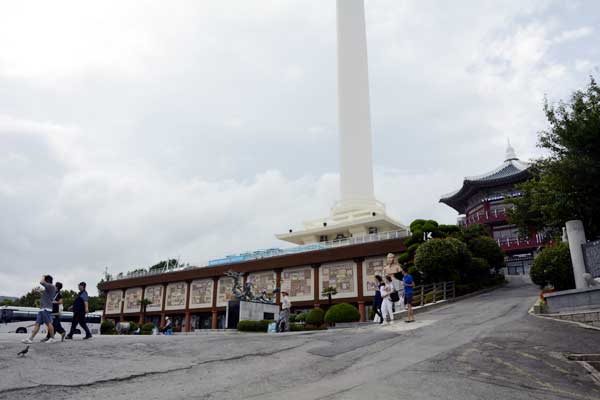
pixel 553 266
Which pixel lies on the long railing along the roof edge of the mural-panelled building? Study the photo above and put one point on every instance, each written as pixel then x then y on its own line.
pixel 260 254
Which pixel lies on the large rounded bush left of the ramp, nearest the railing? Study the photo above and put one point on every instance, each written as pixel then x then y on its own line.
pixel 441 259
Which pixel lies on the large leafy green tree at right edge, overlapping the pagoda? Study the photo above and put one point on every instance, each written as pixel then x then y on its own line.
pixel 566 184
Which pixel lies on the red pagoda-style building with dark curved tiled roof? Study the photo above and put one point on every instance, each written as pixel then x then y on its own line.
pixel 486 199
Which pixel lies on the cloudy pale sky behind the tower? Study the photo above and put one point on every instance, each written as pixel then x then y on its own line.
pixel 131 131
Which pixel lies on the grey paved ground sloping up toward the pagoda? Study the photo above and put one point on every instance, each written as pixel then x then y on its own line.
pixel 486 347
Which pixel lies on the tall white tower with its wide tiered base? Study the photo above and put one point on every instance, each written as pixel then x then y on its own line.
pixel 357 212
